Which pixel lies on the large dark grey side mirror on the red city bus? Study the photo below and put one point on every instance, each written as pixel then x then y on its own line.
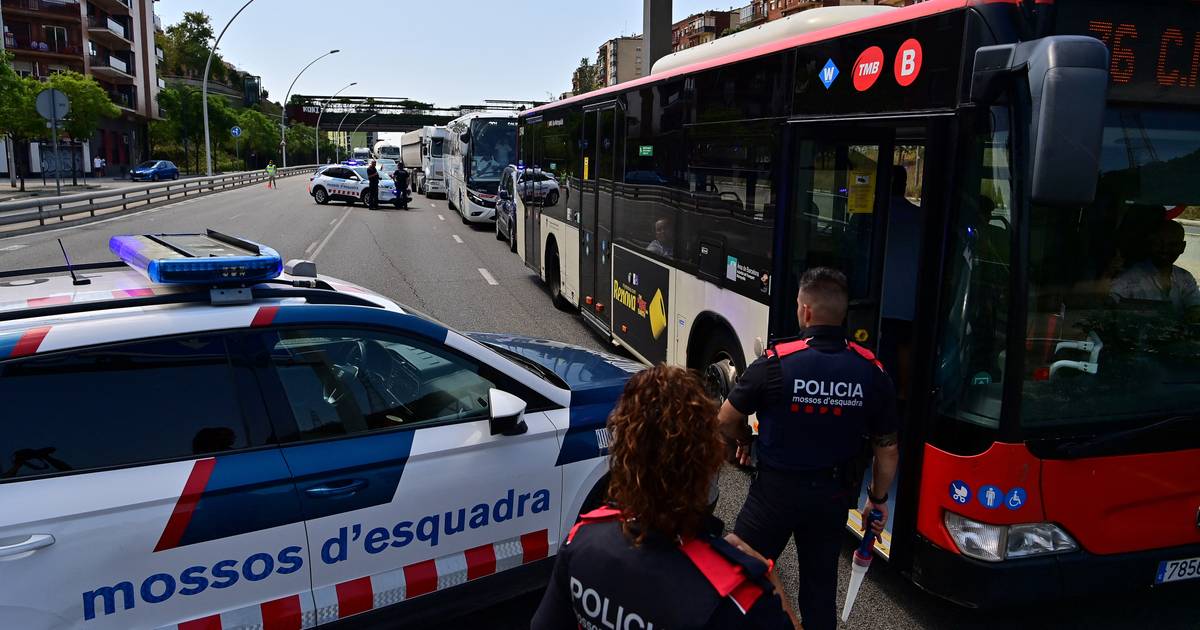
pixel 1069 80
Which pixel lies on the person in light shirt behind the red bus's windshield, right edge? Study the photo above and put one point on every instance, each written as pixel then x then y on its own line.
pixel 1159 279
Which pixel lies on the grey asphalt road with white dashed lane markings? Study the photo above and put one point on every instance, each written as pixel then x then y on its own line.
pixel 429 260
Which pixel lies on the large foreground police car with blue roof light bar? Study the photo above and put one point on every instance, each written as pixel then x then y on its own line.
pixel 200 436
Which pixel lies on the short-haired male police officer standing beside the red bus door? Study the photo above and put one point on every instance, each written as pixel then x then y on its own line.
pixel 817 398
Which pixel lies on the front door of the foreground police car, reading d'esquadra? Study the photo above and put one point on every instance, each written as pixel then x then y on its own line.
pixel 405 489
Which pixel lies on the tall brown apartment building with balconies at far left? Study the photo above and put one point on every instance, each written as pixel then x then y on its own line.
pixel 112 41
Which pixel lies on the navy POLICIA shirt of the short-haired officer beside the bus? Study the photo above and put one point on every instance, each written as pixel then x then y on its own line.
pixel 815 399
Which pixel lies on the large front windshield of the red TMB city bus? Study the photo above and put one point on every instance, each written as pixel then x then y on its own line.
pixel 1114 309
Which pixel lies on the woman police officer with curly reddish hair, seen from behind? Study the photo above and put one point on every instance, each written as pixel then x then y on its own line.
pixel 659 561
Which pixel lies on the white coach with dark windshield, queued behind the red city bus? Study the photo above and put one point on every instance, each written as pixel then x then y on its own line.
pixel 482 145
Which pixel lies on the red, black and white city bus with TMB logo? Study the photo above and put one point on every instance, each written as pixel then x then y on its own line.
pixel 1011 189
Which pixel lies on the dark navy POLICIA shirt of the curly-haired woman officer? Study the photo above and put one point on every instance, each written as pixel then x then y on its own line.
pixel 602 581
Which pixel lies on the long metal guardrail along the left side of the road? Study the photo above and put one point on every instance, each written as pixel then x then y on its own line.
pixel 20 217
